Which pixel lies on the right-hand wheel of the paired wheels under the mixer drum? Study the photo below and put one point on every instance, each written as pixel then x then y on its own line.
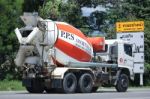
pixel 86 83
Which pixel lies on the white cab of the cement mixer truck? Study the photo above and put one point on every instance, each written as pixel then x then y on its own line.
pixel 119 52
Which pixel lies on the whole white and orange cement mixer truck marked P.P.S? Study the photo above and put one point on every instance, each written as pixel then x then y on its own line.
pixel 55 56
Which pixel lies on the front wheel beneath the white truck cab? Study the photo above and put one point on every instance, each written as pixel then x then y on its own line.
pixel 122 83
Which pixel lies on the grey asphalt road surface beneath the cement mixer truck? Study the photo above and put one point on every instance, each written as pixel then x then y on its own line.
pixel 102 93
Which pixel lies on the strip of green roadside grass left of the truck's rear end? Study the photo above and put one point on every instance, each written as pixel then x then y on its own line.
pixel 12 85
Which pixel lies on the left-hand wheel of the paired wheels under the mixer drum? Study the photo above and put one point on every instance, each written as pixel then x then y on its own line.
pixel 69 83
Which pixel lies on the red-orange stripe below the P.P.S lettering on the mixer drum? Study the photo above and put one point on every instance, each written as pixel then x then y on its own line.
pixel 72 51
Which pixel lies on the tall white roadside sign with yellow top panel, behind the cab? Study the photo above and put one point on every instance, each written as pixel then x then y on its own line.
pixel 133 32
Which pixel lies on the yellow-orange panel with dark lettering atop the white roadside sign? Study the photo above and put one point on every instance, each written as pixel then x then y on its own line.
pixel 130 26
